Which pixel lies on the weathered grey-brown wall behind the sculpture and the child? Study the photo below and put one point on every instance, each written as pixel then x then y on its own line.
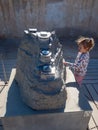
pixel 67 17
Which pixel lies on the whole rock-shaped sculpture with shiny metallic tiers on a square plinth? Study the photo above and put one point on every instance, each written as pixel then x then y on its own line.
pixel 40 72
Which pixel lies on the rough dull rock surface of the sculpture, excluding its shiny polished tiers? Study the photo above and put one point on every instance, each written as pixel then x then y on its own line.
pixel 39 94
